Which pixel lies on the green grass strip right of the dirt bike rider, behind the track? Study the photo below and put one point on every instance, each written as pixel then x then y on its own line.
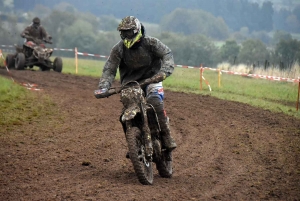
pixel 272 95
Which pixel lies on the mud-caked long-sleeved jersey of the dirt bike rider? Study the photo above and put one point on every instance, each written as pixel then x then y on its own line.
pixel 137 63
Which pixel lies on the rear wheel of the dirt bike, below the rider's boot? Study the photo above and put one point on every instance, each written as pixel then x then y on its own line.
pixel 164 165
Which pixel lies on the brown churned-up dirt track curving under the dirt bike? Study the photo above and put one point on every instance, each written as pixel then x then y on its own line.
pixel 226 150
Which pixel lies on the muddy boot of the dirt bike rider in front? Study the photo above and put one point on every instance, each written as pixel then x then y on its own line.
pixel 167 140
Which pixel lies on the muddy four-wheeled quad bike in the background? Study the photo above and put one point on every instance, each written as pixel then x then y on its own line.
pixel 33 53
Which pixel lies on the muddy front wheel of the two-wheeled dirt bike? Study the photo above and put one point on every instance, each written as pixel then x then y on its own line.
pixel 142 167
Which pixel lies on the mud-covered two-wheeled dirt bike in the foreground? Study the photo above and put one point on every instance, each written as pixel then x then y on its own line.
pixel 142 131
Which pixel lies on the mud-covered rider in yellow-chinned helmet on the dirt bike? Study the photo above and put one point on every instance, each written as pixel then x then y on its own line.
pixel 144 59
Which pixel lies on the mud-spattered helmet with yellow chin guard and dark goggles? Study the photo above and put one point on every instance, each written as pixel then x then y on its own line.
pixel 130 30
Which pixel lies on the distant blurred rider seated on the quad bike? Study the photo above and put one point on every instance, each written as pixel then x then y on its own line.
pixel 36 31
